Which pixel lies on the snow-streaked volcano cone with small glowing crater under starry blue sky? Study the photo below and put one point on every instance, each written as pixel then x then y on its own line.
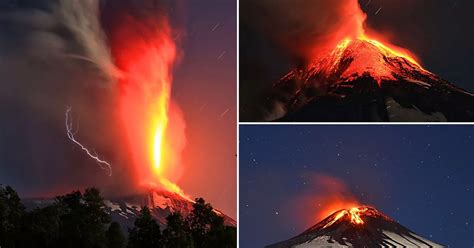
pixel 357 227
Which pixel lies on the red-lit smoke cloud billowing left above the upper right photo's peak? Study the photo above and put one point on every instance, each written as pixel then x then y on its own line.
pixel 304 27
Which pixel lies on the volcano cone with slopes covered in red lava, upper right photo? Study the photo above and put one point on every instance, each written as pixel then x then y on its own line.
pixel 364 80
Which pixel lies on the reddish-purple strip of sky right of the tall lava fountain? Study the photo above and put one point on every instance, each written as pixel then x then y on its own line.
pixel 205 88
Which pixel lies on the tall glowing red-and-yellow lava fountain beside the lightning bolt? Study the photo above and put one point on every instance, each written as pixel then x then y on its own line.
pixel 152 123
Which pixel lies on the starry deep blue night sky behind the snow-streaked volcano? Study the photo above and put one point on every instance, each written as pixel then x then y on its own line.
pixel 421 176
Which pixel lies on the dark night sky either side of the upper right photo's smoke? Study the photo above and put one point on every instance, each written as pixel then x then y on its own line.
pixel 439 33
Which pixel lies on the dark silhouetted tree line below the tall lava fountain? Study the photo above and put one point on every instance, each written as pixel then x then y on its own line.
pixel 79 220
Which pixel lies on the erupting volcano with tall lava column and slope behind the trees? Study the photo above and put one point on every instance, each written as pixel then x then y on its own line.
pixel 153 124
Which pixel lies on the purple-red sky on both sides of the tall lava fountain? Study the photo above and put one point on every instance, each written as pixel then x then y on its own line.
pixel 38 82
